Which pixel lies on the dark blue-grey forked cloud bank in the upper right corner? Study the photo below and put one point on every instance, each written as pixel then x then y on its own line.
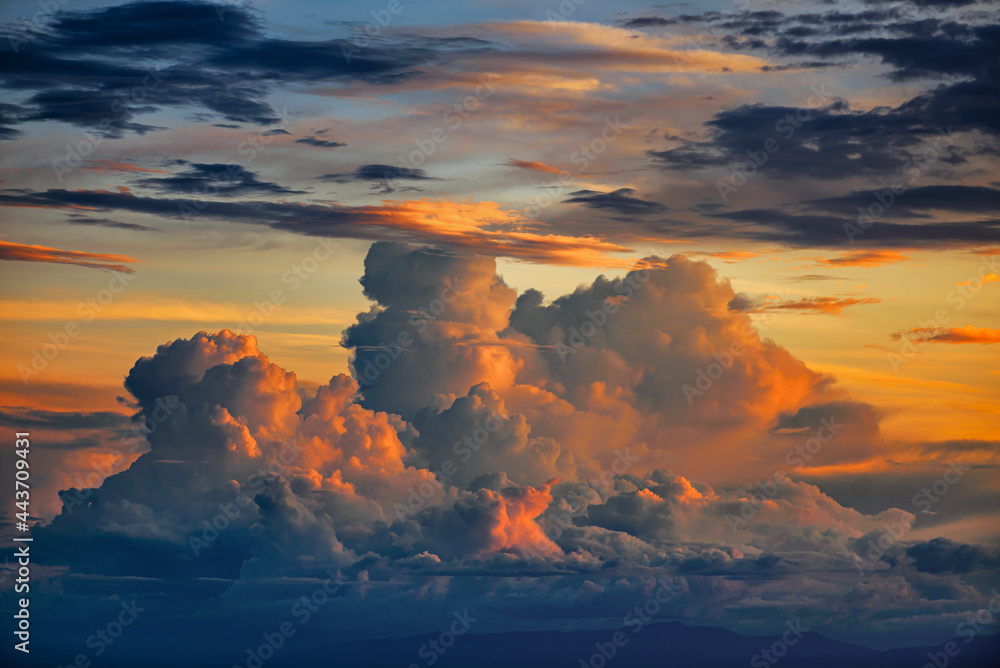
pixel 829 140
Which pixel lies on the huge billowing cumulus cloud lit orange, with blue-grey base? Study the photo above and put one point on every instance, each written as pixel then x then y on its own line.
pixel 487 440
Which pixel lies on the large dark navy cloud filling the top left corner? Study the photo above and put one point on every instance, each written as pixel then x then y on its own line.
pixel 82 68
